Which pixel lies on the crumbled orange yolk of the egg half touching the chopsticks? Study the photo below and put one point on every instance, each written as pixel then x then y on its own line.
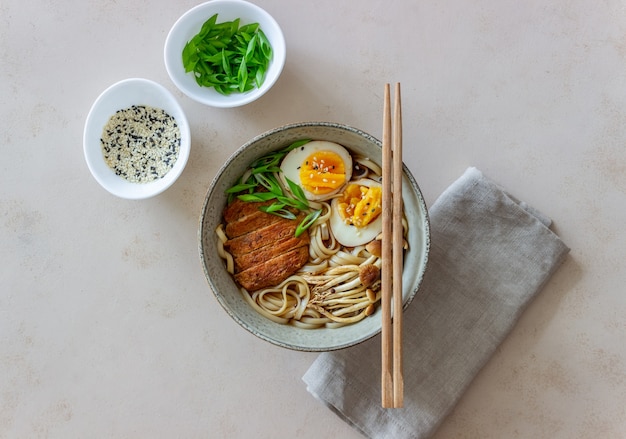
pixel 360 205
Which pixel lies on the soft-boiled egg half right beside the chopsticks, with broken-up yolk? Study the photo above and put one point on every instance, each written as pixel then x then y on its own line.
pixel 355 217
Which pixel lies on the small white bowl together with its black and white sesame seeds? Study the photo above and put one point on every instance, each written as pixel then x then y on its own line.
pixel 136 139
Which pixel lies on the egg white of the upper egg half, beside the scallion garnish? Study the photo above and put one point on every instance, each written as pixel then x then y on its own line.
pixel 290 166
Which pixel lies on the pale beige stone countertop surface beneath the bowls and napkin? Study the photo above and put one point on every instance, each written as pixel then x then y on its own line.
pixel 107 325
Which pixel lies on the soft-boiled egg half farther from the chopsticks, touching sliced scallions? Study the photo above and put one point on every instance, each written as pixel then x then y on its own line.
pixel 319 167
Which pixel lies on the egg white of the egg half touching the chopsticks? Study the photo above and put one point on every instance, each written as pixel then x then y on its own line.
pixel 351 236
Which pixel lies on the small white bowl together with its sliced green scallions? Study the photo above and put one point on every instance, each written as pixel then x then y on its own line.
pixel 225 53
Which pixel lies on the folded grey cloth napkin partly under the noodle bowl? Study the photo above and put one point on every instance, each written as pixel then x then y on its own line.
pixel 490 255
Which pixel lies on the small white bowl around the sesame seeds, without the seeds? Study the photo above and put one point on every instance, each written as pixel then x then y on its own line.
pixel 121 95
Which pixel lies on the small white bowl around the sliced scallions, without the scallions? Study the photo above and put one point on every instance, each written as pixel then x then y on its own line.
pixel 189 25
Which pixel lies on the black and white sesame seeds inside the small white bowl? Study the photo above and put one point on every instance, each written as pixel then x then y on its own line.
pixel 141 143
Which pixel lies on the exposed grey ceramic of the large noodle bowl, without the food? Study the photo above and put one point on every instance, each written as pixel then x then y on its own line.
pixel 225 289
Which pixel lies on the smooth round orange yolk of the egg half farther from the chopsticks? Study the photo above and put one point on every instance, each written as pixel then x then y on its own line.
pixel 322 172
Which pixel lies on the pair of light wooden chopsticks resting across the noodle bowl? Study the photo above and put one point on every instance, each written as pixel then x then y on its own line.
pixel 392 248
